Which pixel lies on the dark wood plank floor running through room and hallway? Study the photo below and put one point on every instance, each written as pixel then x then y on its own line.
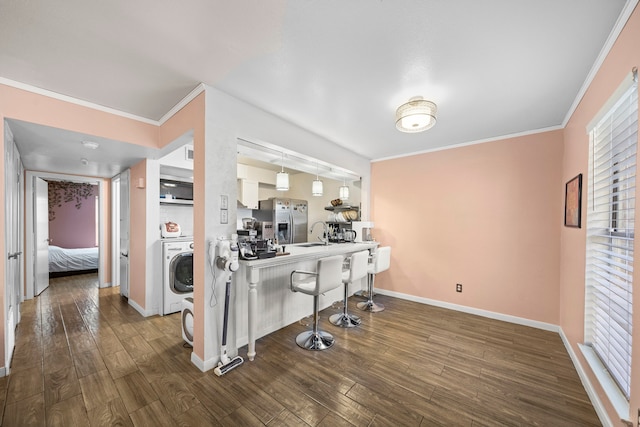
pixel 84 357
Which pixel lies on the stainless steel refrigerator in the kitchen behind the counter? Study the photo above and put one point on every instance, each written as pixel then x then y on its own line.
pixel 289 217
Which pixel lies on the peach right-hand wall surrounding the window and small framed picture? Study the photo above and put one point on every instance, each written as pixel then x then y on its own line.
pixel 624 55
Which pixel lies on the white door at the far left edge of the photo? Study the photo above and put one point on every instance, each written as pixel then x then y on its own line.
pixel 13 284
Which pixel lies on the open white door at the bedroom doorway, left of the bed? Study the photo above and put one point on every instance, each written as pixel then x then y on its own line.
pixel 41 235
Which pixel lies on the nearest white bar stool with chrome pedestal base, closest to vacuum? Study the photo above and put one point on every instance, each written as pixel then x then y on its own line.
pixel 328 275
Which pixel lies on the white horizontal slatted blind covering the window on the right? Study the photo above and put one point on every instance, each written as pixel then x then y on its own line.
pixel 610 233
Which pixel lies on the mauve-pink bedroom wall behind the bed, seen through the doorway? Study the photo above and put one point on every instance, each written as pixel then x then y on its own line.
pixel 73 227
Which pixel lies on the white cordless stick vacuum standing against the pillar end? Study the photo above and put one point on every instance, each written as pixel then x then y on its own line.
pixel 227 261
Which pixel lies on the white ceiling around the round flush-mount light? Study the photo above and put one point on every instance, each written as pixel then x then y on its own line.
pixel 336 68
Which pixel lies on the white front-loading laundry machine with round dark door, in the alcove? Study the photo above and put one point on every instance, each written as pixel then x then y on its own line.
pixel 177 259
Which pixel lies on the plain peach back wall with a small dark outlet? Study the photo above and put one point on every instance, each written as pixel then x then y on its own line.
pixel 486 216
